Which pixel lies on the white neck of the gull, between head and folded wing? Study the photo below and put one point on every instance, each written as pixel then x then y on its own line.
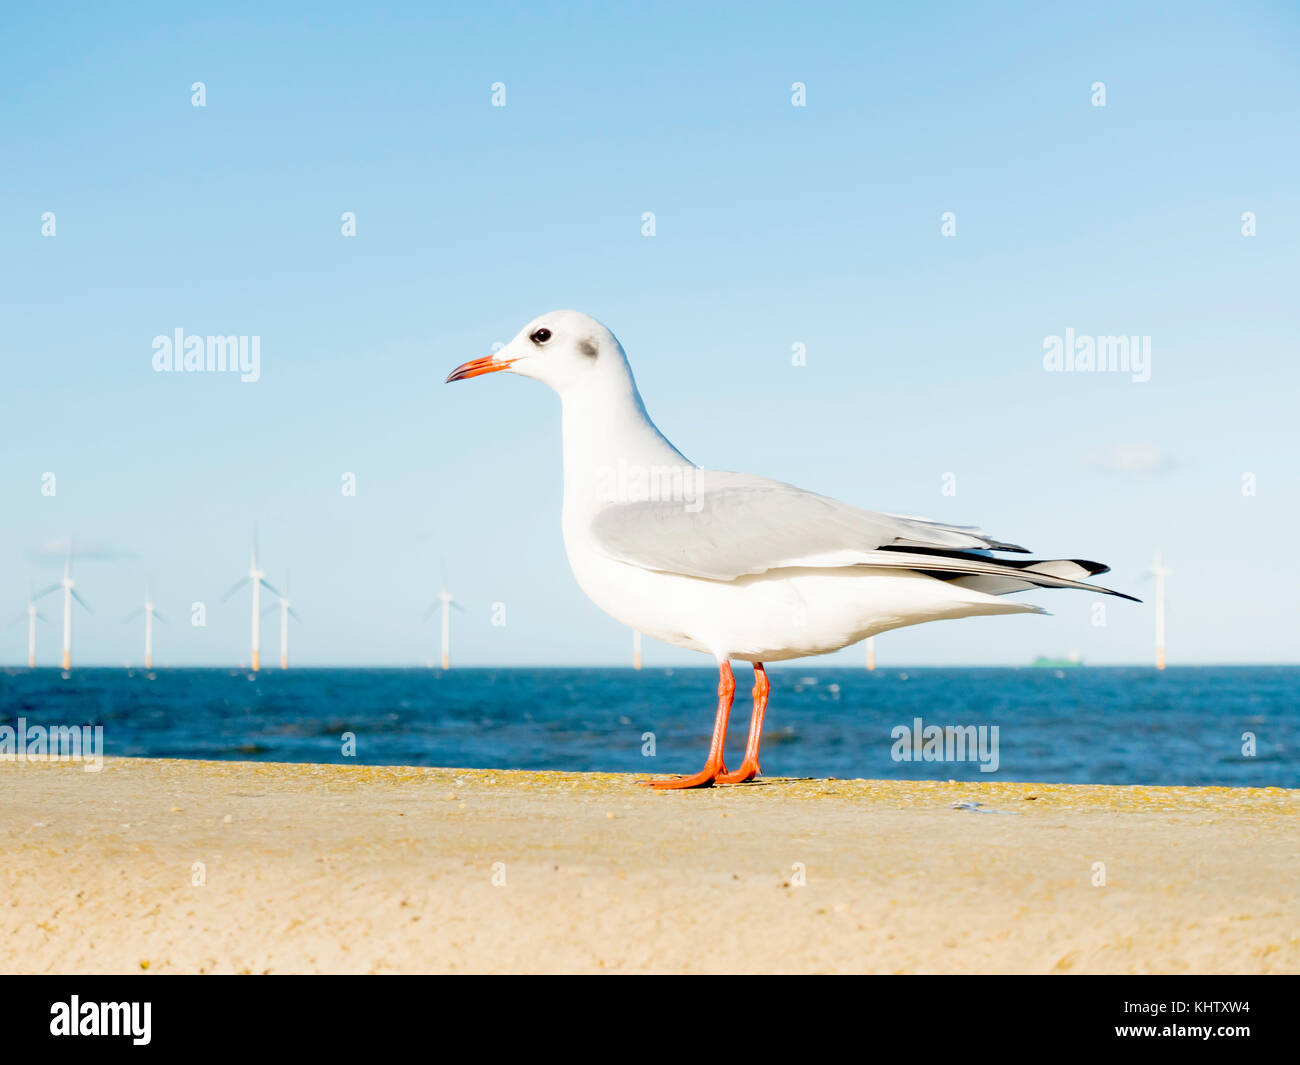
pixel 610 441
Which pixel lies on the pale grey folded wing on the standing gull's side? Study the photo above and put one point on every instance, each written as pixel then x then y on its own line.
pixel 736 525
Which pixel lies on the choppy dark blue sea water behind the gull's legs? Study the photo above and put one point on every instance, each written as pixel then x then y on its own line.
pixel 1090 726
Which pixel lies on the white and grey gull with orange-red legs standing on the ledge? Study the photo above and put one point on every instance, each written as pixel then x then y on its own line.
pixel 733 565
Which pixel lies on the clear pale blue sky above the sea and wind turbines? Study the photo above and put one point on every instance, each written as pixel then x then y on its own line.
pixel 775 226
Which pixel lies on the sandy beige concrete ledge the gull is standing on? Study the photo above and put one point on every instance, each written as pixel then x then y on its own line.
pixel 362 869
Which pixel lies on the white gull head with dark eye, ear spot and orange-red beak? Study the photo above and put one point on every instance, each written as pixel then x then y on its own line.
pixel 564 349
